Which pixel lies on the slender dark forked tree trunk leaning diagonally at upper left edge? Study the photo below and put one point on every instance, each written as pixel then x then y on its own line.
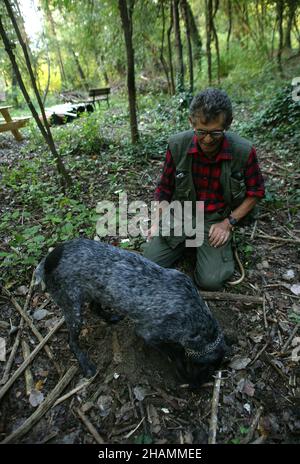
pixel 45 129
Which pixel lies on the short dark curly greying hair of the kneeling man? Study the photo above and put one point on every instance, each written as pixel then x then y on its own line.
pixel 209 104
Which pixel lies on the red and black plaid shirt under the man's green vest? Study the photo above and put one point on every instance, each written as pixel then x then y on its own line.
pixel 206 176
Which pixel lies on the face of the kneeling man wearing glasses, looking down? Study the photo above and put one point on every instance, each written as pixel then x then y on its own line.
pixel 209 142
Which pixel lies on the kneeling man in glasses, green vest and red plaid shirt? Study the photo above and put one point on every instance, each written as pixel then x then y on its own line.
pixel 220 168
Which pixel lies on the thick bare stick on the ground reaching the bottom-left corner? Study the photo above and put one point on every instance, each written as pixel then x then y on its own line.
pixel 43 407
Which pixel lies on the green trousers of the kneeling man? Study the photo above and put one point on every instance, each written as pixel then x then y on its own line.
pixel 214 266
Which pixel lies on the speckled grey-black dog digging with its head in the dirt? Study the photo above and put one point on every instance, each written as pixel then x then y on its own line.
pixel 167 310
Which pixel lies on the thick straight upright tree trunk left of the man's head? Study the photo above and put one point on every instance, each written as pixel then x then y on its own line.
pixel 126 12
